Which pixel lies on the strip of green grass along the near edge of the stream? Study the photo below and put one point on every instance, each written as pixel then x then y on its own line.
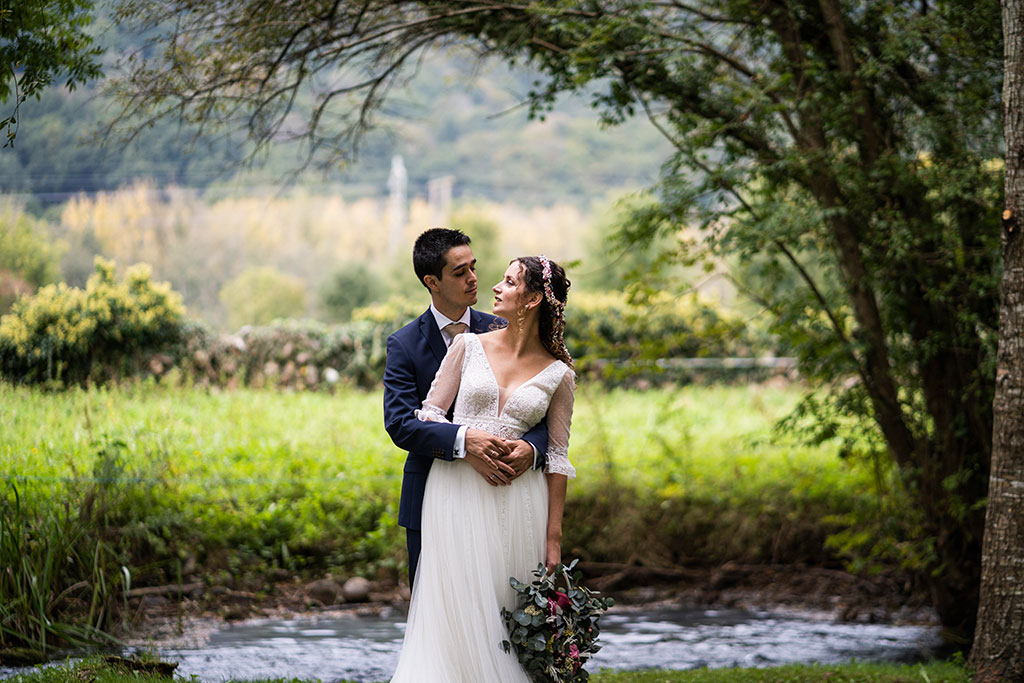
pixel 99 670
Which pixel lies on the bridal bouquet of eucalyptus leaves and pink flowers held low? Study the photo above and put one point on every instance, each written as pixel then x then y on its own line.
pixel 553 629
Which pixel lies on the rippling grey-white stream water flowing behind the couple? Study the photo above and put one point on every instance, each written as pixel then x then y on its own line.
pixel 366 649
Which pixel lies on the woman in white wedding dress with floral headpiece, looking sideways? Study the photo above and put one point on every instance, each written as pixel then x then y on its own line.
pixel 477 536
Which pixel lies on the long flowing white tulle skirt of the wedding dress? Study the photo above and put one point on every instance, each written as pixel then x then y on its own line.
pixel 475 538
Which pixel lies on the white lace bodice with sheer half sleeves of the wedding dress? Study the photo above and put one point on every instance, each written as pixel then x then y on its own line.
pixel 465 376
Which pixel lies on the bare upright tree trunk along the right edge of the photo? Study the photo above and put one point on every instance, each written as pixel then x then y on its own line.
pixel 999 649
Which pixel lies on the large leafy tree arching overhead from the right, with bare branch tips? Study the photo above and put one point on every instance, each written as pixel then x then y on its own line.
pixel 852 146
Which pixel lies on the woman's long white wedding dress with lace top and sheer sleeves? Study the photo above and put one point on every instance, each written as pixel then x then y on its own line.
pixel 477 536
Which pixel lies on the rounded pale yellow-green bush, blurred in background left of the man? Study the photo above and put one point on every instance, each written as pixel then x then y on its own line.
pixel 261 295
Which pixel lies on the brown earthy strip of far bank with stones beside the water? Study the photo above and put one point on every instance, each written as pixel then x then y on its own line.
pixel 816 593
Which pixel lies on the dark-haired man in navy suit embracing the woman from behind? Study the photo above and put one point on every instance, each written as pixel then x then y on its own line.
pixel 445 265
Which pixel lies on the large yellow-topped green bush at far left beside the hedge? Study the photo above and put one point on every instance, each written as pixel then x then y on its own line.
pixel 66 335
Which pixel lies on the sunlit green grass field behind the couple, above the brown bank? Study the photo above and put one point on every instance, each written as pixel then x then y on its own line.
pixel 246 480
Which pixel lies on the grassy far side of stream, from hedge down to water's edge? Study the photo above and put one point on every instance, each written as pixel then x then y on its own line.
pixel 187 504
